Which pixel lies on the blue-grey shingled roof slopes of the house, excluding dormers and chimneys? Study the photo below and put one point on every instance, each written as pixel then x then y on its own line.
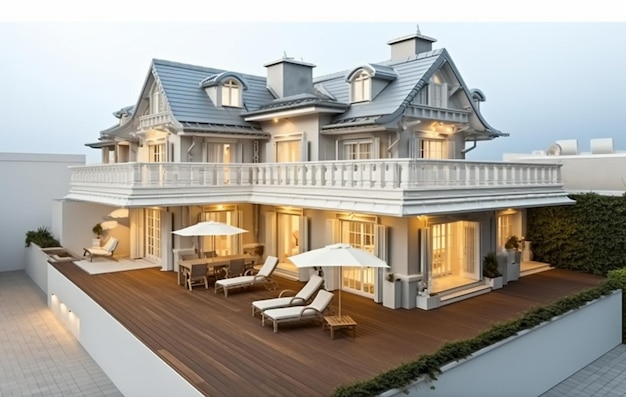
pixel 190 105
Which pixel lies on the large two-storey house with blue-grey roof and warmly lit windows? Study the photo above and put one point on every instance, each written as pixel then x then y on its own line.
pixel 373 156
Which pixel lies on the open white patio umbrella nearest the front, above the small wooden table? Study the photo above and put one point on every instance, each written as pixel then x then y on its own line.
pixel 337 255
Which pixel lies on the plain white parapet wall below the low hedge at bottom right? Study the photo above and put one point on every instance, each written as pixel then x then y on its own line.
pixel 533 361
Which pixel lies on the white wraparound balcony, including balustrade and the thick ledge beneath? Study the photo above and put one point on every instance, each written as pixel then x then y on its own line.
pixel 397 187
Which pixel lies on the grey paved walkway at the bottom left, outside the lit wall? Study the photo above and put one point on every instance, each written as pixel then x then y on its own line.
pixel 38 355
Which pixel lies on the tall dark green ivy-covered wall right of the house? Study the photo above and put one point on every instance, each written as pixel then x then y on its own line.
pixel 589 236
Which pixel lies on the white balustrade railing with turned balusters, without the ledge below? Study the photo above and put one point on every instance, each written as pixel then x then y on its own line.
pixel 381 174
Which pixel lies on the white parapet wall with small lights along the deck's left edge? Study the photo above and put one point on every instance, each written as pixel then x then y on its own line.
pixel 131 366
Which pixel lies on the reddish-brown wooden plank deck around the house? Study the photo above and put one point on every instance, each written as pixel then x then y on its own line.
pixel 216 344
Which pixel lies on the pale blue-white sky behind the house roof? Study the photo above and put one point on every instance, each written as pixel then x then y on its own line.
pixel 548 72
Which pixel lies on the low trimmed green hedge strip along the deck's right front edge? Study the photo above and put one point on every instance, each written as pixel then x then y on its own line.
pixel 430 364
